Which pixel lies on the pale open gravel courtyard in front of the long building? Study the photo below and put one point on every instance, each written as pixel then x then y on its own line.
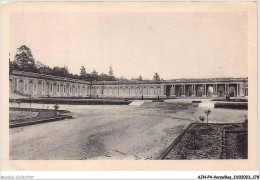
pixel 111 131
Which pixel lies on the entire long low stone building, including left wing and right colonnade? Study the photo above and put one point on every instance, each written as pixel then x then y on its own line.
pixel 41 85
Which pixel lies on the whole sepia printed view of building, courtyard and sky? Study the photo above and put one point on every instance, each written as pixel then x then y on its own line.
pixel 129 81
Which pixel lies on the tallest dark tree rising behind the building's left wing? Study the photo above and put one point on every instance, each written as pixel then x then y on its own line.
pixel 24 59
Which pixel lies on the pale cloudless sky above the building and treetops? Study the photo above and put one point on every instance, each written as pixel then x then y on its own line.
pixel 173 44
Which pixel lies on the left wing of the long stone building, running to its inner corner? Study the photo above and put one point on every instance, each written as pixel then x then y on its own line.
pixel 41 85
